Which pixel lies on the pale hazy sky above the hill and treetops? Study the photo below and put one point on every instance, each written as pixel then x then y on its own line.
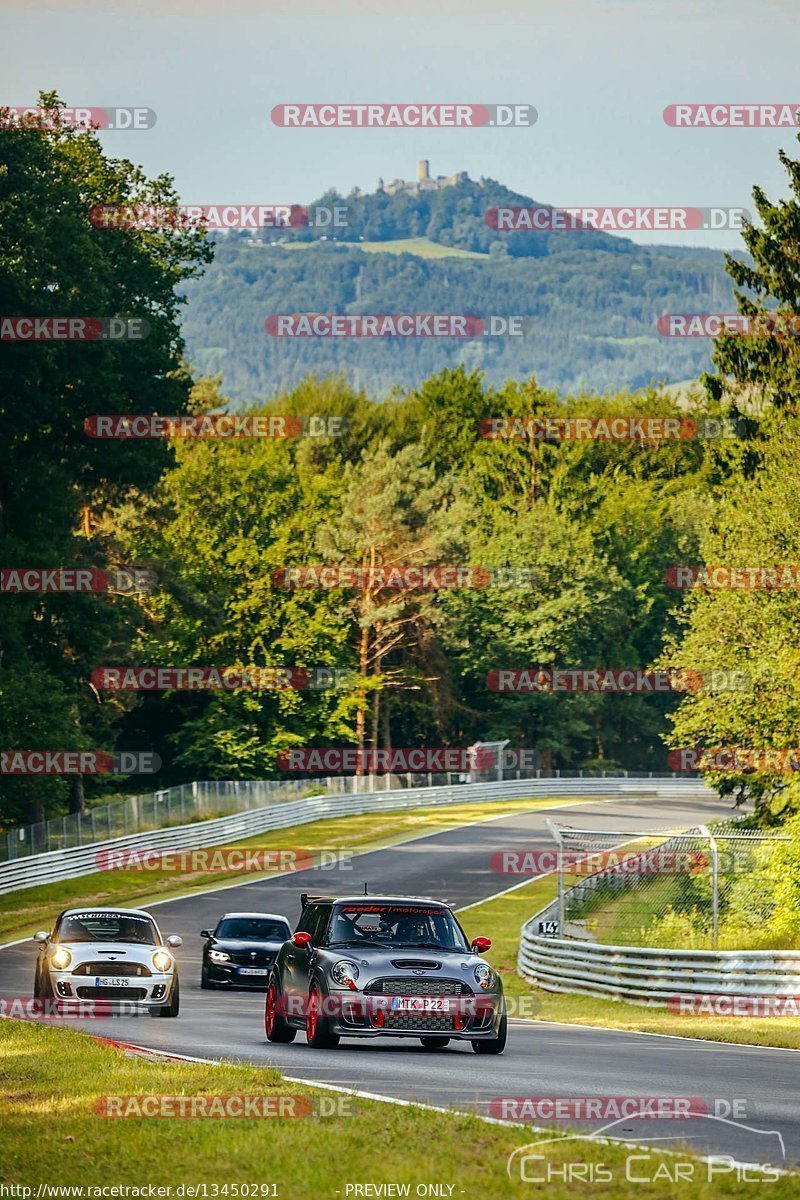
pixel 600 74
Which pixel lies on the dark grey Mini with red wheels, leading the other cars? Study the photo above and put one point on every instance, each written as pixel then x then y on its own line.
pixel 384 967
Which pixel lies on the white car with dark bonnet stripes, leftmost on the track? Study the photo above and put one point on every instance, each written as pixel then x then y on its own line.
pixel 109 955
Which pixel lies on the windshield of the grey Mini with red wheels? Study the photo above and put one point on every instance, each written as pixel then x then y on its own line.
pixel 395 926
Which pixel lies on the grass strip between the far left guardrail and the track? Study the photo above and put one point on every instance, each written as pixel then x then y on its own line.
pixel 23 913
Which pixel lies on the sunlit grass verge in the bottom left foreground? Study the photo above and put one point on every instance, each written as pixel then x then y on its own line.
pixel 53 1078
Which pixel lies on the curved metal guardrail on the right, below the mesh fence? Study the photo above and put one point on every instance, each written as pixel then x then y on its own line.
pixel 647 975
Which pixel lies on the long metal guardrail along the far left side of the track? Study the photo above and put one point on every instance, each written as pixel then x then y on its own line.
pixel 68 865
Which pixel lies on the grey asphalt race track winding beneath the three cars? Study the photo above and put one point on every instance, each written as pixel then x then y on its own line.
pixel 542 1060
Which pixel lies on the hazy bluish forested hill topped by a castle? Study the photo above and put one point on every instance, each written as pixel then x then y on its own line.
pixel 593 299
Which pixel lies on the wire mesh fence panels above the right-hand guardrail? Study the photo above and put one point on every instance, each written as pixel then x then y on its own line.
pixel 706 887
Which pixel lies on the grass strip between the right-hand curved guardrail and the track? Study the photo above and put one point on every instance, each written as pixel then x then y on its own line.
pixel 502 920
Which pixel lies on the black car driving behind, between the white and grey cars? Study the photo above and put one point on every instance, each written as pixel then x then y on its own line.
pixel 243 949
